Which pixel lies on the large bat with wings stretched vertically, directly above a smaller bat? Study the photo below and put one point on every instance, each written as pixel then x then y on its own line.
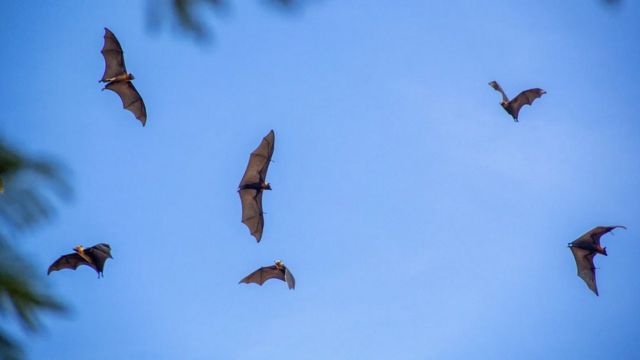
pixel 253 183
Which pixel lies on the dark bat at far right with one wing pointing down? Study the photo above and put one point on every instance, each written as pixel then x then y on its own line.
pixel 585 248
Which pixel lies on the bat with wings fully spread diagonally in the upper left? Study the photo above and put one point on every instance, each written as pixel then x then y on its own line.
pixel 119 81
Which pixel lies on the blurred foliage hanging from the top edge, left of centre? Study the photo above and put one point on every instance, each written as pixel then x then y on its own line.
pixel 188 13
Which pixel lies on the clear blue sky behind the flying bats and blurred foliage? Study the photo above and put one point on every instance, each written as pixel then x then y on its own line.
pixel 419 220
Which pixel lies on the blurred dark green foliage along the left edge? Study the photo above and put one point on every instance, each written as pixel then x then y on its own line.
pixel 27 201
